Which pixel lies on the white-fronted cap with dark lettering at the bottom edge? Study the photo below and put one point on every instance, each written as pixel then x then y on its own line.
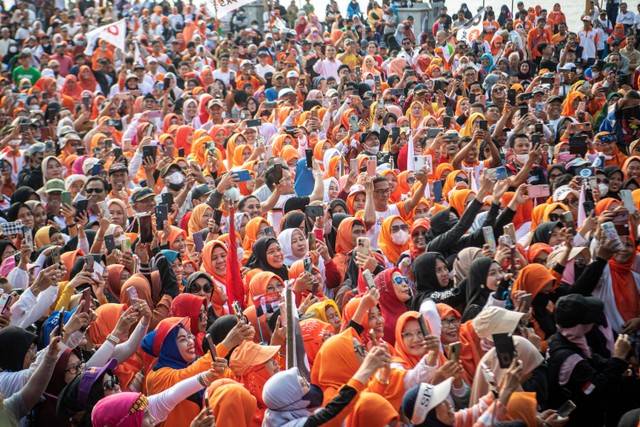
pixel 423 398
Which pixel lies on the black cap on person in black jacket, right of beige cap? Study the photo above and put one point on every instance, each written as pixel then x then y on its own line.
pixel 576 309
